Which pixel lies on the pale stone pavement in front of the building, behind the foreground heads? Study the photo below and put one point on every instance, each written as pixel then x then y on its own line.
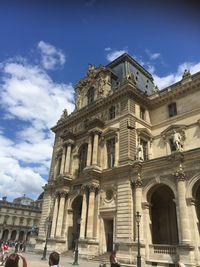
pixel 34 260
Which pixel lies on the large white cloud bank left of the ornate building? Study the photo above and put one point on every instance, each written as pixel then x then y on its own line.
pixel 28 94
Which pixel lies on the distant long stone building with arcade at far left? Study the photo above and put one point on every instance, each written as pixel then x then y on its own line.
pixel 18 218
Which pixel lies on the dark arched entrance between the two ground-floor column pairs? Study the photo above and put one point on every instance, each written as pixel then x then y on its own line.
pixel 74 230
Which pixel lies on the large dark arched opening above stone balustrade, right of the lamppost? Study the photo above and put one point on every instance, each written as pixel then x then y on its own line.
pixel 163 216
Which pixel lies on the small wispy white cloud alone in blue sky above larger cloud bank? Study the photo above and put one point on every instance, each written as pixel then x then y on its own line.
pixel 51 56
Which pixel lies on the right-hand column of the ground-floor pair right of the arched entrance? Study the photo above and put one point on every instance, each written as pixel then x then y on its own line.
pixel 90 219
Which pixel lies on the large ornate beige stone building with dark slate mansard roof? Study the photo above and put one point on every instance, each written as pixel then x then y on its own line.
pixel 127 148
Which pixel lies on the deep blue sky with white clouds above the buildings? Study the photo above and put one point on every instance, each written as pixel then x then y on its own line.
pixel 45 49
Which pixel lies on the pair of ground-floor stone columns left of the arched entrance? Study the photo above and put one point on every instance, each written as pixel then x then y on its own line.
pixel 58 214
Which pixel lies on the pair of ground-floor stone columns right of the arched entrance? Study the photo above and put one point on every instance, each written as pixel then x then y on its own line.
pixel 88 213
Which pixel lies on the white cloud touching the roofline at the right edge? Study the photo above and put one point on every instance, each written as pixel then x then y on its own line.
pixel 172 78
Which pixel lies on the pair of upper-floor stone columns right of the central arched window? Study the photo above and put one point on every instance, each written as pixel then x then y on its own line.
pixel 92 155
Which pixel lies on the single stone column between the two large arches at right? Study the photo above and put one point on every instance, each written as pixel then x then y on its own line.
pixel 183 212
